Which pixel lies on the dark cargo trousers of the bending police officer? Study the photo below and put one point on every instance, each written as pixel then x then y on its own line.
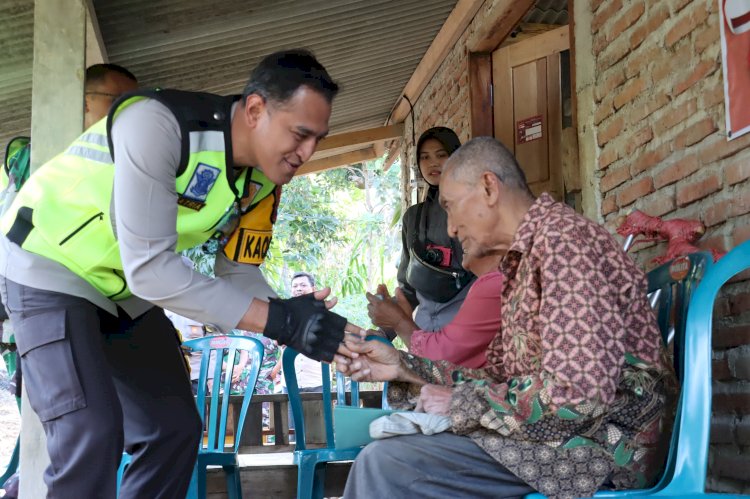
pixel 101 383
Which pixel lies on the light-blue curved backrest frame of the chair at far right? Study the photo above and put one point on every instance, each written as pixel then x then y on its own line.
pixel 694 409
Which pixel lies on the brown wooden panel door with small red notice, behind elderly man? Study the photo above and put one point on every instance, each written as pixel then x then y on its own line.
pixel 527 107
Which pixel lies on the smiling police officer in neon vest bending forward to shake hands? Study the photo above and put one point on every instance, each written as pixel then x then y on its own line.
pixel 88 259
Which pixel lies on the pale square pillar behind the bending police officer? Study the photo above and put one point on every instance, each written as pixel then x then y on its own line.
pixel 56 119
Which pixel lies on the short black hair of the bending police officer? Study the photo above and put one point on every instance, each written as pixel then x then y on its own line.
pixel 279 75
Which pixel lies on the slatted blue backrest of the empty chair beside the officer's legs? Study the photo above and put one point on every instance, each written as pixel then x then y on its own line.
pixel 221 347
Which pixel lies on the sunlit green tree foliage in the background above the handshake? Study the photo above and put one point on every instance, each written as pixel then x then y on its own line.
pixel 343 226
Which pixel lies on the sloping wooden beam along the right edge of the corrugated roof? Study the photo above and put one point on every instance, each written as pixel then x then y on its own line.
pixel 452 29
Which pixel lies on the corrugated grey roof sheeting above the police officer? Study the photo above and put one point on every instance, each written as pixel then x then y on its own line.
pixel 370 47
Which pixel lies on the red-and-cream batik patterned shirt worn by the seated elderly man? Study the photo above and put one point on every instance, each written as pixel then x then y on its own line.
pixel 578 390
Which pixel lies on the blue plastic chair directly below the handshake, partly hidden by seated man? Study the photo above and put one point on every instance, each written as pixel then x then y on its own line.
pixel 311 463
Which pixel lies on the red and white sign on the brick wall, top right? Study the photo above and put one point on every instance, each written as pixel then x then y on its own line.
pixel 735 53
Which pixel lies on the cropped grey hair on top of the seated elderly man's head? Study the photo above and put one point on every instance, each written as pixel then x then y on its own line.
pixel 485 154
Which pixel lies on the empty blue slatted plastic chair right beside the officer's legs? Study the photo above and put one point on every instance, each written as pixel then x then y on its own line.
pixel 214 452
